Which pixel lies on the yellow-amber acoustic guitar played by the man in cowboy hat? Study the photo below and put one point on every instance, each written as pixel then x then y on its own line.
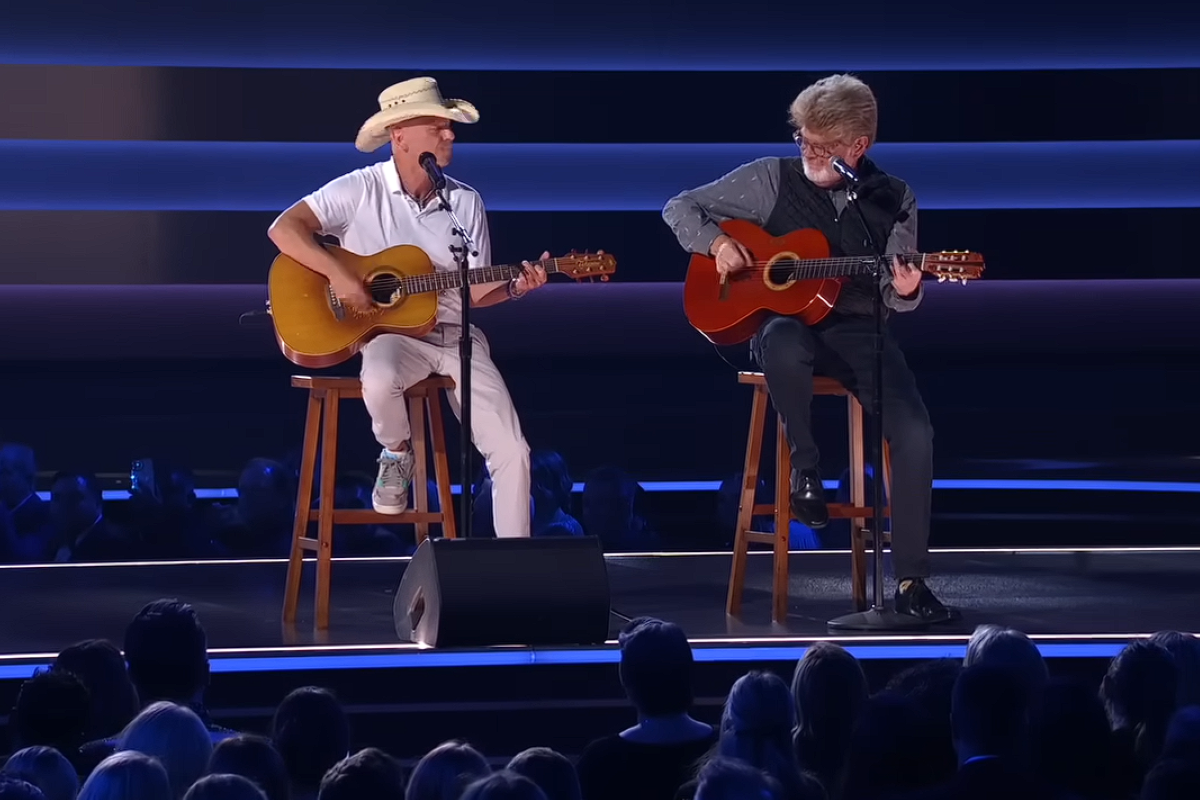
pixel 316 330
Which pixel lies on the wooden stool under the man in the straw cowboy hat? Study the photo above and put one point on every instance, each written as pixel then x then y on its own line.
pixel 325 396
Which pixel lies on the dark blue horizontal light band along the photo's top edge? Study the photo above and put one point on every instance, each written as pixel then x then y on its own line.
pixel 944 35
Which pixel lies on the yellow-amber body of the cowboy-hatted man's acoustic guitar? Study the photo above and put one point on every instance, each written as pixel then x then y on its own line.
pixel 313 333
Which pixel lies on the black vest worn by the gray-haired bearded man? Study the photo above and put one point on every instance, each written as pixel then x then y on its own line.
pixel 803 204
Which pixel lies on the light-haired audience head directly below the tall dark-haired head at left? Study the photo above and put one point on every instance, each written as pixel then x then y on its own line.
pixel 176 737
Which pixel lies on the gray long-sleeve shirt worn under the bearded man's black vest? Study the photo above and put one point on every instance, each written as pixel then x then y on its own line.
pixel 751 193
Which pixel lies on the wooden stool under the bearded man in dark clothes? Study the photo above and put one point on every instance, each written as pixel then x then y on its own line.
pixel 857 510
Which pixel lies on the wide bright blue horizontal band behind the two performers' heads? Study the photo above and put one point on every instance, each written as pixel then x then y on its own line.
pixel 271 176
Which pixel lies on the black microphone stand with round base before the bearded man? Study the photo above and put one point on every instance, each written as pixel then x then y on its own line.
pixel 879 617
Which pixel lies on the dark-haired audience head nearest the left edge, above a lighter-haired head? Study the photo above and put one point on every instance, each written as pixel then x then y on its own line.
pixel 52 709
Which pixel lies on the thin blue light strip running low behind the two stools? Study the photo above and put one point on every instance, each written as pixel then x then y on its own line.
pixel 975 485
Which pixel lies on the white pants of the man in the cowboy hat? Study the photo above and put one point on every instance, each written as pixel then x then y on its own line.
pixel 392 364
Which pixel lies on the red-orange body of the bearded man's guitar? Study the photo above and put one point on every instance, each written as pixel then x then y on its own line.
pixel 733 312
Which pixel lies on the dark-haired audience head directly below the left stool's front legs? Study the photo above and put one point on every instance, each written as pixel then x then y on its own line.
pixel 313 735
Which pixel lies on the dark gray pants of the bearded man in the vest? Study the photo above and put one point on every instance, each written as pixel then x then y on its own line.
pixel 843 348
